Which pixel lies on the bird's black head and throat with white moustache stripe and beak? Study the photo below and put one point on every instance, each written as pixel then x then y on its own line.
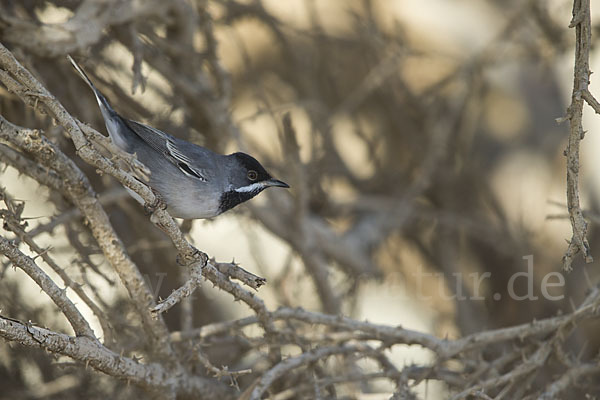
pixel 247 178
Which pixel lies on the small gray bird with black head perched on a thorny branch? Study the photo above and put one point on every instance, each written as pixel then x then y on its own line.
pixel 194 182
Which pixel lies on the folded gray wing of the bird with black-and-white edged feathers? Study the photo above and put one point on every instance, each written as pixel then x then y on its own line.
pixel 165 144
